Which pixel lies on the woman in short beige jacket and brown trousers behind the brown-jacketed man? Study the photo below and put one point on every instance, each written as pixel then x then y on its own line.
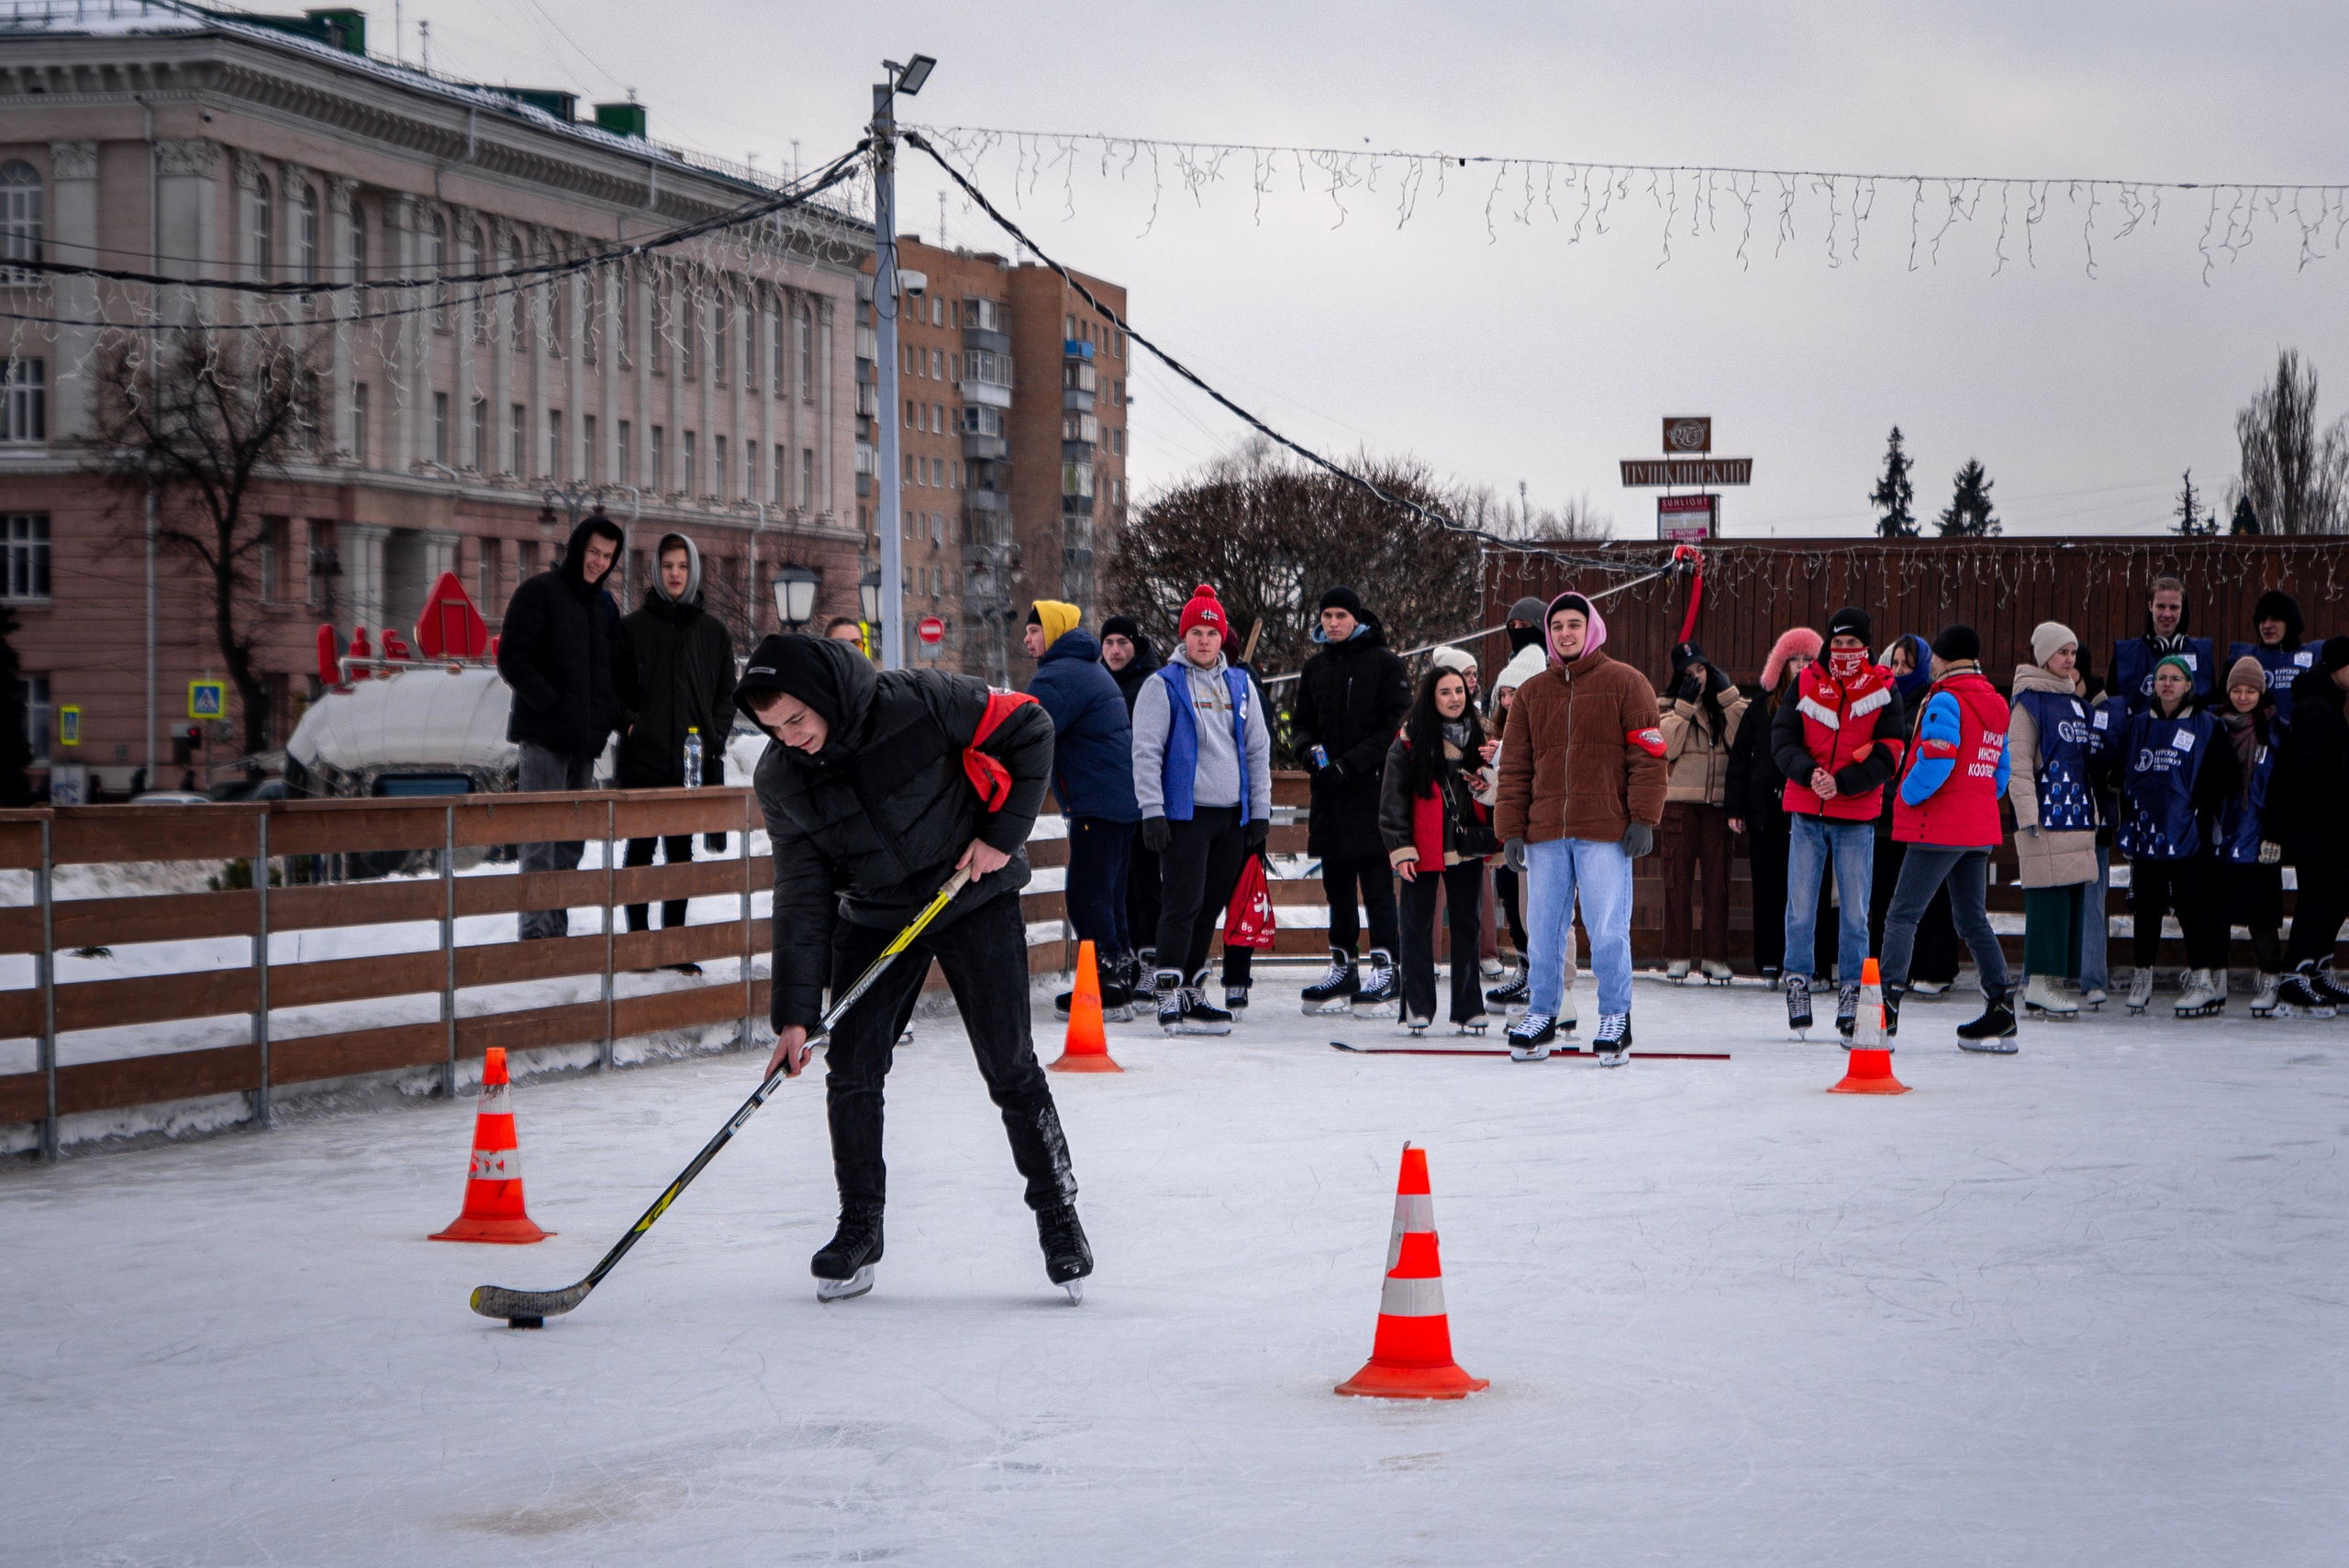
pixel 1700 724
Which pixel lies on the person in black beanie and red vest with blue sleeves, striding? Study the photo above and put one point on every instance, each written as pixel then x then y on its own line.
pixel 1948 818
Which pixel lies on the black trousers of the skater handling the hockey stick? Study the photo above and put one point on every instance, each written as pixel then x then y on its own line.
pixel 985 961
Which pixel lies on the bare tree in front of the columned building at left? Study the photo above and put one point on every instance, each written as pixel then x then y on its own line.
pixel 210 419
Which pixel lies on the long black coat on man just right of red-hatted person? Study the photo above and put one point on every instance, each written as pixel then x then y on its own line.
pixel 1352 701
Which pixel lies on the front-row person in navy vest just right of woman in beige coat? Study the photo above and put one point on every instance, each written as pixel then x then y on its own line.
pixel 2176 776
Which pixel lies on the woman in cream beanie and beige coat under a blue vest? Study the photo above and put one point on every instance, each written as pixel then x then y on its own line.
pixel 2052 741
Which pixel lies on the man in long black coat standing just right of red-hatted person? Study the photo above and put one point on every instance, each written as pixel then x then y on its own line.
pixel 1352 701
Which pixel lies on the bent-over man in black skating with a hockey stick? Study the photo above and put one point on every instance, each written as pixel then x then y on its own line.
pixel 873 802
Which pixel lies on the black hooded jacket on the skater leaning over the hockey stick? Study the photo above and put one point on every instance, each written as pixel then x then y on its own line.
pixel 873 825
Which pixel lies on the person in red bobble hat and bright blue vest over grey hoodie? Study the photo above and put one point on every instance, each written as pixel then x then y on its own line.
pixel 1204 780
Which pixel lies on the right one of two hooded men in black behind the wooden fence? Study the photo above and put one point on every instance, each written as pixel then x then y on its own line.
pixel 685 682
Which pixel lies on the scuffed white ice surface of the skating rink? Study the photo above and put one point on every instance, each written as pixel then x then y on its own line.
pixel 2078 1306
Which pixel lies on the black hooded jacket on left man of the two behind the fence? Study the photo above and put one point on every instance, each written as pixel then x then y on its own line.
pixel 563 654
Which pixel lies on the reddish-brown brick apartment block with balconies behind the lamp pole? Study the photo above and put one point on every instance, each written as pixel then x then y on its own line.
pixel 1011 447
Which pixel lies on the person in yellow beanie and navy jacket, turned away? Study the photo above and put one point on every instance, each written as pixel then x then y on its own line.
pixel 1093 778
